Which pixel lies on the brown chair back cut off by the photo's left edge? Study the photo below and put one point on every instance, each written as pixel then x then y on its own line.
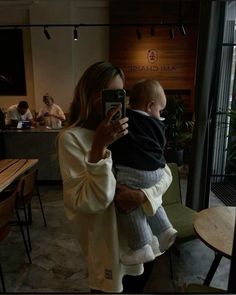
pixel 6 212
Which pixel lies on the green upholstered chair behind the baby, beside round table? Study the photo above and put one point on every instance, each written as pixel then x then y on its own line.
pixel 180 215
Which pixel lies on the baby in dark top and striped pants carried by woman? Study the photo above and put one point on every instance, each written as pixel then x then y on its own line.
pixel 138 162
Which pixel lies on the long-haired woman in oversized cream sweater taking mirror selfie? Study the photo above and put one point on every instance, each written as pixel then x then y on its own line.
pixel 89 186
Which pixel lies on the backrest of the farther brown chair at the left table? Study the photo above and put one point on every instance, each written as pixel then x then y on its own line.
pixel 26 187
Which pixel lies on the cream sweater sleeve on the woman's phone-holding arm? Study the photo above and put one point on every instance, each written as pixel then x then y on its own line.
pixel 87 187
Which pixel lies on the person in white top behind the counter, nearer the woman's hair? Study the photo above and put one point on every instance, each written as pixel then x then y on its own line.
pixel 51 114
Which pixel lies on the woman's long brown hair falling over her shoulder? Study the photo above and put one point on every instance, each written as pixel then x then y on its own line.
pixel 94 79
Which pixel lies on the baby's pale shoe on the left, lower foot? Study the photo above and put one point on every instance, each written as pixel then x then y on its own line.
pixel 138 256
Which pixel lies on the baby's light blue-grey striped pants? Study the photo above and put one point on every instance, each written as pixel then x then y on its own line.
pixel 138 227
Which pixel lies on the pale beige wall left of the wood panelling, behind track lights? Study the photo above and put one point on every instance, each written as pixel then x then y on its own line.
pixel 58 63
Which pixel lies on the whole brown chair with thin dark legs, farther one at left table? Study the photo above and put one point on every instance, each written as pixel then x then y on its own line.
pixel 26 189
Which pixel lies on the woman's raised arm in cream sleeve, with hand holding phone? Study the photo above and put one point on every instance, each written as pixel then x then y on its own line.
pixel 86 166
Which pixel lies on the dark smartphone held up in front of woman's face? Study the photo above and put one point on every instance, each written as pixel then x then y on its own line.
pixel 111 98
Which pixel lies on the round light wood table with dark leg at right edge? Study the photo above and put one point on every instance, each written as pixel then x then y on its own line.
pixel 215 227
